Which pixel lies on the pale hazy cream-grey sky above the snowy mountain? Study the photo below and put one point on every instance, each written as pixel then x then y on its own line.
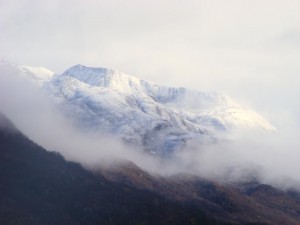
pixel 249 49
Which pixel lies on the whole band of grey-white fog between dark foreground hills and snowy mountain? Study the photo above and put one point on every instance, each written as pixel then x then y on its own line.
pixel 272 158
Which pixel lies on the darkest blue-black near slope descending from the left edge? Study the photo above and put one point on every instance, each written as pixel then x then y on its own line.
pixel 39 187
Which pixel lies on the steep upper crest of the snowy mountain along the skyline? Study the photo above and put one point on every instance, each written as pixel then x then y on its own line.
pixel 121 82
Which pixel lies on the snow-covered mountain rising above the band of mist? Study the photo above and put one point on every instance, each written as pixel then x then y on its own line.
pixel 157 118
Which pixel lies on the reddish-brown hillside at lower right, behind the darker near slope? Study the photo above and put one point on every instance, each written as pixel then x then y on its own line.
pixel 240 203
